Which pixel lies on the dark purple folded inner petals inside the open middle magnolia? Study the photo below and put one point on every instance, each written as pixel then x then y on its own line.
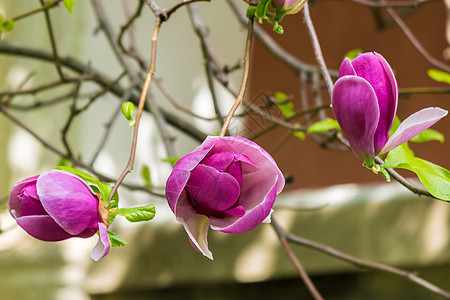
pixel 211 190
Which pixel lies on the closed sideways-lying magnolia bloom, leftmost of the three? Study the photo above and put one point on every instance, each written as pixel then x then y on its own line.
pixel 58 205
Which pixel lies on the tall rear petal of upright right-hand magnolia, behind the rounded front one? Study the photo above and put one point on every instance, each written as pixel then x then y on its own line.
pixel 376 70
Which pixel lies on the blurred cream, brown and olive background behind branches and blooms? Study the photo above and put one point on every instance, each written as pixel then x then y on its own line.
pixel 331 199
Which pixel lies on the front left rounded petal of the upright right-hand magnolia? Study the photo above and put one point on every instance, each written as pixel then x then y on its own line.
pixel 356 109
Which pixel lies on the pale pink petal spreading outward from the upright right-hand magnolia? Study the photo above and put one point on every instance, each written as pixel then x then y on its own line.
pixel 413 125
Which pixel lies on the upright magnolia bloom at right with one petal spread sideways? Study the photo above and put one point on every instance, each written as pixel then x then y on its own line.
pixel 365 101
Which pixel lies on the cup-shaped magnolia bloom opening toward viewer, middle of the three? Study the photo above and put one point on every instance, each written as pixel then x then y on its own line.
pixel 228 184
